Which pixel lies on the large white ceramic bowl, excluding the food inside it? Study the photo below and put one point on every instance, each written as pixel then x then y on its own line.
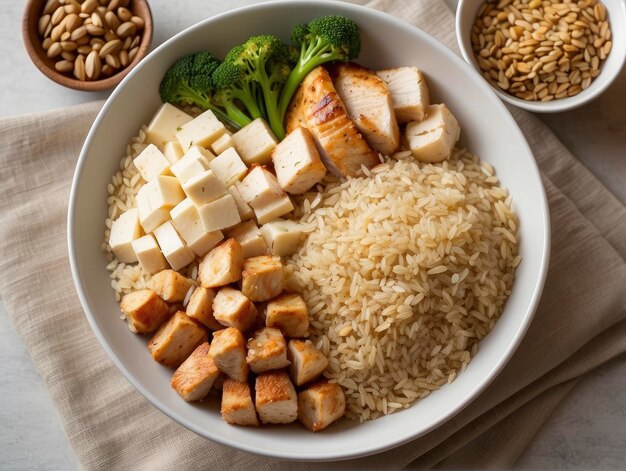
pixel 488 130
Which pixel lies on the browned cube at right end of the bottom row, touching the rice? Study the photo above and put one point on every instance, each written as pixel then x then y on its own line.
pixel 321 405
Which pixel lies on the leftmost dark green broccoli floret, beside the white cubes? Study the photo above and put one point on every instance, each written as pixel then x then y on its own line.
pixel 189 82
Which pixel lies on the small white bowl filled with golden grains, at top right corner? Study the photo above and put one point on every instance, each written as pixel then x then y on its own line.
pixel 544 56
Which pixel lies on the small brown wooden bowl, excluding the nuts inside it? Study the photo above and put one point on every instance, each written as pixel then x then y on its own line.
pixel 32 41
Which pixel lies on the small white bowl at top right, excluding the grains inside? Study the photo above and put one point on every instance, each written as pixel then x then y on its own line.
pixel 616 9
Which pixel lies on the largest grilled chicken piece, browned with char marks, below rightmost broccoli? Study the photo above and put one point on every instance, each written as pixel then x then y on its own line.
pixel 342 148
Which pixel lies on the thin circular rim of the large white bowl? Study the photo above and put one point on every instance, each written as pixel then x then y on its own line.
pixel 386 443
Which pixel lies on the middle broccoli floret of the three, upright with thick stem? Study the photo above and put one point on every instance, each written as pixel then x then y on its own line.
pixel 264 61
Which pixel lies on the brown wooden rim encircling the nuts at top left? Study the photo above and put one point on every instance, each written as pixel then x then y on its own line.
pixel 35 52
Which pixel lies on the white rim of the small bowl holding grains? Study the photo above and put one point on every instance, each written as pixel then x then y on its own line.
pixel 555 106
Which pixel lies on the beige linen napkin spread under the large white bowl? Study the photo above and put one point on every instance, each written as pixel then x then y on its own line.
pixel 580 324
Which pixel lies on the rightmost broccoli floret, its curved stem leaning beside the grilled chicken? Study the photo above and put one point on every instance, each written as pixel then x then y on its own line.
pixel 330 38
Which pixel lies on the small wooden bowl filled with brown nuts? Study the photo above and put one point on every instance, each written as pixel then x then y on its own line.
pixel 87 45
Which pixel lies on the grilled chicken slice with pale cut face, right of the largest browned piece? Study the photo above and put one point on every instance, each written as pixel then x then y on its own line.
pixel 369 105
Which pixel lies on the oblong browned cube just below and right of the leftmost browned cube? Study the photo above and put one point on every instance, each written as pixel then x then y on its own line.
pixel 176 339
